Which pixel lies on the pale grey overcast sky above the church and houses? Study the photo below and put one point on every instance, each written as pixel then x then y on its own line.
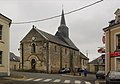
pixel 85 26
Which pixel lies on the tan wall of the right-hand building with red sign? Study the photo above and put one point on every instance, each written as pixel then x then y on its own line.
pixel 110 61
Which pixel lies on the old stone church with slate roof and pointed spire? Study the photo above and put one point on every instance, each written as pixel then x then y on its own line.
pixel 48 53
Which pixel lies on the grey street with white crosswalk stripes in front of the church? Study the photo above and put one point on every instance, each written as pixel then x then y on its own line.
pixel 42 78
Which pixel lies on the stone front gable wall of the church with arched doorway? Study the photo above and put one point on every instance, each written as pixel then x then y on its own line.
pixel 39 55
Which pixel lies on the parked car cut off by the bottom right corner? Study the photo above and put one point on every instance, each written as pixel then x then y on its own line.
pixel 113 77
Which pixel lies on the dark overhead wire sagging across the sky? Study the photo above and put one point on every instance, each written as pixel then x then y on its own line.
pixel 26 22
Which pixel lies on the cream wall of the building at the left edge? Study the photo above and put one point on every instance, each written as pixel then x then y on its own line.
pixel 4 47
